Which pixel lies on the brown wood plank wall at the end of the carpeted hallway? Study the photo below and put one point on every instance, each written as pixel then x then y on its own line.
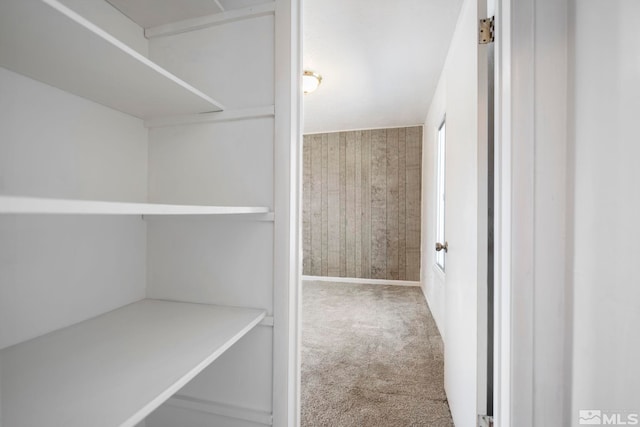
pixel 361 207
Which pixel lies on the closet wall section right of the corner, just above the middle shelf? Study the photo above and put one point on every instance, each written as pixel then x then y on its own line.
pixel 188 160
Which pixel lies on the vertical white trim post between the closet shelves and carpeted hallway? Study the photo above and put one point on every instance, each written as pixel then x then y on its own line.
pixel 287 206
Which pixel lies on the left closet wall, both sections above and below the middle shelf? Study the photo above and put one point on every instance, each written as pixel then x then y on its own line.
pixel 58 270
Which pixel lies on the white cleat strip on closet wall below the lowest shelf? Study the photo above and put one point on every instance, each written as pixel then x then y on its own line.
pixel 221 409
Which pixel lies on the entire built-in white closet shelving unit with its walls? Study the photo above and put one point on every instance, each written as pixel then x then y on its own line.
pixel 103 294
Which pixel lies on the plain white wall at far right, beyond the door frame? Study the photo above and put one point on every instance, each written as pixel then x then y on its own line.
pixel 606 230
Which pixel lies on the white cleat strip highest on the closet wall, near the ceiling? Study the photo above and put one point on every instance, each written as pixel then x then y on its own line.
pixel 210 20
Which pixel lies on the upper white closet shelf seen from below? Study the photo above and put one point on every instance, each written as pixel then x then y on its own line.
pixel 45 40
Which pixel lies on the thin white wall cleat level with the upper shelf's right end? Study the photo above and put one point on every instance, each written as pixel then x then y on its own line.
pixel 212 117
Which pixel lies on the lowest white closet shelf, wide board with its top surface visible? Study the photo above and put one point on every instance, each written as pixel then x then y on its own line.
pixel 115 369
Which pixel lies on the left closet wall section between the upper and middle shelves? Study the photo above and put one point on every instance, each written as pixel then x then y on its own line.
pixel 59 145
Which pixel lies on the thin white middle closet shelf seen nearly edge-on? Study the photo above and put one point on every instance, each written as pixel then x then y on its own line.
pixel 32 205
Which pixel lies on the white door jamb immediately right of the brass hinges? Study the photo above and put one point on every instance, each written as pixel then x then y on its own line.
pixel 514 213
